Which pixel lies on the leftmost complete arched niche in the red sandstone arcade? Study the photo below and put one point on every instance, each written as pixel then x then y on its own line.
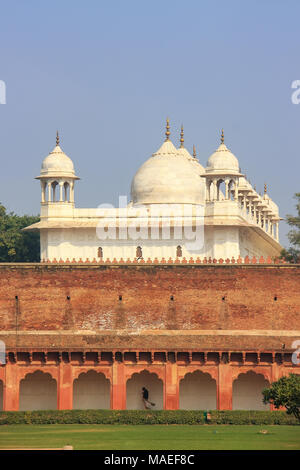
pixel 38 391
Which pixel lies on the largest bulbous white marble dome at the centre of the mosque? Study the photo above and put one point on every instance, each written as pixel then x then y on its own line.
pixel 168 177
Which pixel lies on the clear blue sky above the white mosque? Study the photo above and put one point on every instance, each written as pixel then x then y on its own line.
pixel 106 74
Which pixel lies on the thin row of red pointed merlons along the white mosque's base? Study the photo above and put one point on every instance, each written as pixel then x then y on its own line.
pixel 155 261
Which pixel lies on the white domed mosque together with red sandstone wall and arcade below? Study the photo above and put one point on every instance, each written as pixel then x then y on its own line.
pixel 180 290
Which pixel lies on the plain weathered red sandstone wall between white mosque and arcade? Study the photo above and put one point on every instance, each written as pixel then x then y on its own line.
pixel 198 292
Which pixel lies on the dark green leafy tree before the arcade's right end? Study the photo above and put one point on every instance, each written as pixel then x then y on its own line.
pixel 285 392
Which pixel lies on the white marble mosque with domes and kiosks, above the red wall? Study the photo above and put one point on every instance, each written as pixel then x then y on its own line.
pixel 173 199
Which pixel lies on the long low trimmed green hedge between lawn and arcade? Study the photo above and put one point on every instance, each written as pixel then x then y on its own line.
pixel 145 417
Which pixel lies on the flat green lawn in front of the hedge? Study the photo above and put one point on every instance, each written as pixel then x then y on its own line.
pixel 147 437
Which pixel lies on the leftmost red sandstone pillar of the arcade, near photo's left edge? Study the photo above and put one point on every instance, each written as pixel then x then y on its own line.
pixel 11 388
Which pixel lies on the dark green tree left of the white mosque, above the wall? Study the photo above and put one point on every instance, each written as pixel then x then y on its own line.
pixel 16 245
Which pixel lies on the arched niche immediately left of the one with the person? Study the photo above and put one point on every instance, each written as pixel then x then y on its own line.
pixel 91 390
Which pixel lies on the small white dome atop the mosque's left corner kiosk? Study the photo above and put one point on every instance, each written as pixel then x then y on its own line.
pixel 57 163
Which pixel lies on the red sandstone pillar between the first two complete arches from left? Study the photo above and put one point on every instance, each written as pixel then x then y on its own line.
pixel 65 386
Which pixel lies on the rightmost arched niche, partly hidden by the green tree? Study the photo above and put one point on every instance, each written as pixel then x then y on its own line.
pixel 247 392
